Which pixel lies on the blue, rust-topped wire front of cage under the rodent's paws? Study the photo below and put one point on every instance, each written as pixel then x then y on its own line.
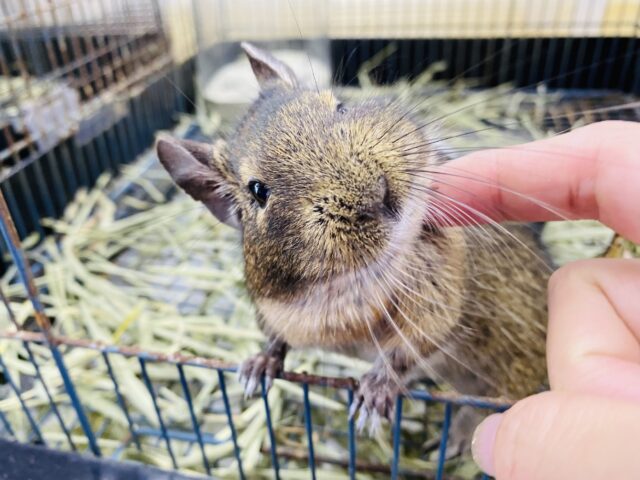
pixel 59 346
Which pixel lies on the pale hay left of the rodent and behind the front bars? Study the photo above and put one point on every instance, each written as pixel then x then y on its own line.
pixel 166 278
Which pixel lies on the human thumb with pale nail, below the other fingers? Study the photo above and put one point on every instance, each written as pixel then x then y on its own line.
pixel 561 435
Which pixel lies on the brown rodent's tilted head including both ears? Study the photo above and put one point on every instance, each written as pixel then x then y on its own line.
pixel 319 188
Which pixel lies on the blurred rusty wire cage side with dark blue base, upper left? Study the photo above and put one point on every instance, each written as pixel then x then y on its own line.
pixel 84 86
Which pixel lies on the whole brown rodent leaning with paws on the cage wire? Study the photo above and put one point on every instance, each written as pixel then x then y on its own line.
pixel 345 245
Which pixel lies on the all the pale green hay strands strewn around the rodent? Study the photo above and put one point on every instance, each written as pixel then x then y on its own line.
pixel 166 277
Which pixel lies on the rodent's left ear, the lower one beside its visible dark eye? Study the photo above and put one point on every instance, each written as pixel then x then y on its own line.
pixel 199 170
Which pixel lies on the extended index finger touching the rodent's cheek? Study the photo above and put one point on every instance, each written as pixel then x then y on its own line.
pixel 590 173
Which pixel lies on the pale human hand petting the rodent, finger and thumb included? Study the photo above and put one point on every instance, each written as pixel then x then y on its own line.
pixel 588 425
